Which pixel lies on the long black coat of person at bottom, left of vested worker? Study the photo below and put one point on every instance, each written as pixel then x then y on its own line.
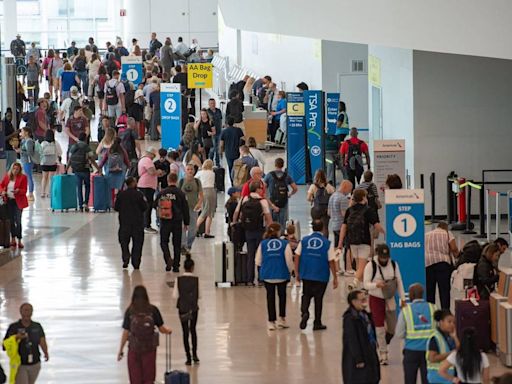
pixel 358 349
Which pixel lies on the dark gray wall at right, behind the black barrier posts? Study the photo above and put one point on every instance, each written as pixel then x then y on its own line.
pixel 462 118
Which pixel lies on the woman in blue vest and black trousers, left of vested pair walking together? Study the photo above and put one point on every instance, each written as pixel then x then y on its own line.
pixel 275 257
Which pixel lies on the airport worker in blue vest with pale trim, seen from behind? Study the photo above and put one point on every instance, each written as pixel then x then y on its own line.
pixel 416 325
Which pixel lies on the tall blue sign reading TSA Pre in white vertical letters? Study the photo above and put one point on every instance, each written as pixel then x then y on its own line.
pixel 314 102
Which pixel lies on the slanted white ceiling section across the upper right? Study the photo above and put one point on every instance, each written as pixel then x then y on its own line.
pixel 471 27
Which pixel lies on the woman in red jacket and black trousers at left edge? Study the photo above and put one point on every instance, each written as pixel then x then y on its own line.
pixel 14 189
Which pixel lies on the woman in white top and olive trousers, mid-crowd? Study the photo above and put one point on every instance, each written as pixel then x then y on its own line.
pixel 207 178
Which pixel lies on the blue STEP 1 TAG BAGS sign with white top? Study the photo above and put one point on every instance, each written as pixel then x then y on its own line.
pixel 405 232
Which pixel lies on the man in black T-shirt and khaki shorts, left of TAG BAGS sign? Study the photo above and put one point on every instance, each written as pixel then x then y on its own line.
pixel 356 227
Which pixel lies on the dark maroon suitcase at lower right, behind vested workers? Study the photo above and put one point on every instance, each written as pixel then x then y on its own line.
pixel 475 316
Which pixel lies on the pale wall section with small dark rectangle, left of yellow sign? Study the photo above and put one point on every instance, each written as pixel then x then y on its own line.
pixel 337 60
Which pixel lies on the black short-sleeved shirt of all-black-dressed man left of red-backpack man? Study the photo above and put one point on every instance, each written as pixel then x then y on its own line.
pixel 131 206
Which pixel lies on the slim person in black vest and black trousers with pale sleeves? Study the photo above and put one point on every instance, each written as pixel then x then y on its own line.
pixel 186 291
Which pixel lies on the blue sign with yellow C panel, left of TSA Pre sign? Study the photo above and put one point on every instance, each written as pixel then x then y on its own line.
pixel 296 137
